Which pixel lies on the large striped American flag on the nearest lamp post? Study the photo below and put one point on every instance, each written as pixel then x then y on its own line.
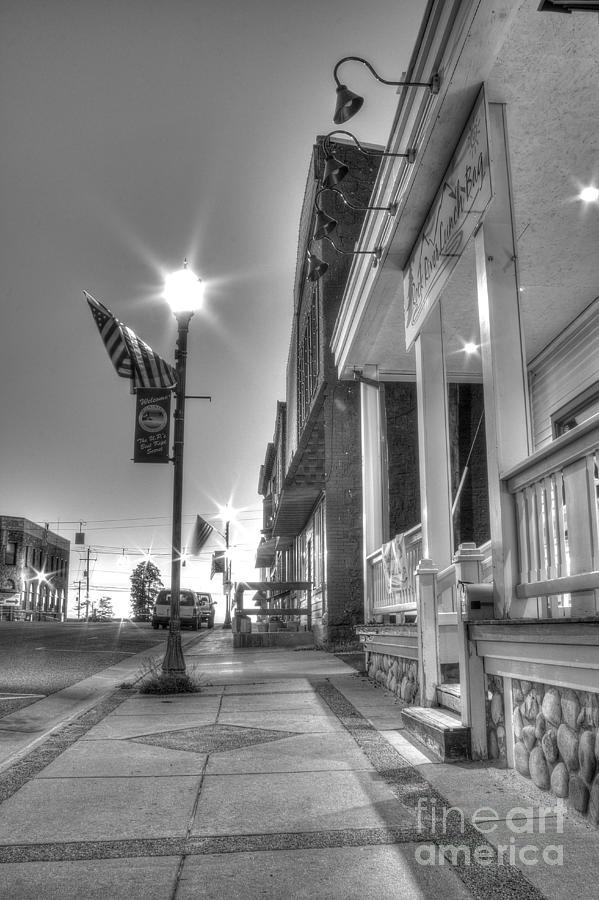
pixel 130 356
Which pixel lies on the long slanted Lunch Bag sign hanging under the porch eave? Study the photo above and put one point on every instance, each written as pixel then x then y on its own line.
pixel 458 207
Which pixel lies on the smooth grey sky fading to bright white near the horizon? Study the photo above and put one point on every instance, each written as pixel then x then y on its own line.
pixel 135 134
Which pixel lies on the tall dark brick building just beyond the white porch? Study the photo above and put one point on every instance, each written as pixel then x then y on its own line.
pixel 311 476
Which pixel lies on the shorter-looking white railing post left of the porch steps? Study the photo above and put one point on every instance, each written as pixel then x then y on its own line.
pixel 429 666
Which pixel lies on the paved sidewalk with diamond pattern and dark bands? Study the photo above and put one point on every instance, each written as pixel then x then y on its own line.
pixel 287 777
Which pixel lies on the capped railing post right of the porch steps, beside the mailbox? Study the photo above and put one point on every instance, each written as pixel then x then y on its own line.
pixel 472 676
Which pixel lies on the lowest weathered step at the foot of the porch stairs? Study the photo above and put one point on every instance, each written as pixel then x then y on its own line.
pixel 439 730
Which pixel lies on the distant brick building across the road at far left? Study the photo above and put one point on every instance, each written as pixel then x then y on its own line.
pixel 34 570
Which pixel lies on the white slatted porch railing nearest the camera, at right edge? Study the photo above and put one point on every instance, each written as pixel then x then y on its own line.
pixel 555 495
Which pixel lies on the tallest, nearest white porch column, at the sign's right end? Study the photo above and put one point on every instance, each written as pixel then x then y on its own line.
pixel 503 364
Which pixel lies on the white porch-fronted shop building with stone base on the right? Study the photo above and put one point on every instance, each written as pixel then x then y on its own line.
pixel 489 278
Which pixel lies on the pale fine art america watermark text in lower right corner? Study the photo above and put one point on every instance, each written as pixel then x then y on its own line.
pixel 443 822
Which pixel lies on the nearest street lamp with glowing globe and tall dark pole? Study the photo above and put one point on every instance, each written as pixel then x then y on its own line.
pixel 184 293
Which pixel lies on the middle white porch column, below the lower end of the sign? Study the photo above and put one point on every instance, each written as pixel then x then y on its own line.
pixel 433 443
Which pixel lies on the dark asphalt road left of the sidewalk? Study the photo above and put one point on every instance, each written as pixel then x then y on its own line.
pixel 39 658
